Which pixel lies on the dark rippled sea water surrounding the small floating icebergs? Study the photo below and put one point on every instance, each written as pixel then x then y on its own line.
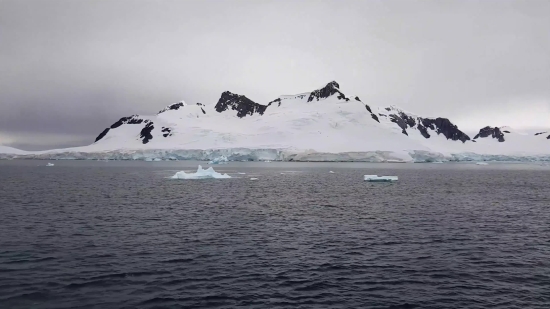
pixel 122 235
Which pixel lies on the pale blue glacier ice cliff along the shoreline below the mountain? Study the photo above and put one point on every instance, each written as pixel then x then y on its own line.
pixel 248 154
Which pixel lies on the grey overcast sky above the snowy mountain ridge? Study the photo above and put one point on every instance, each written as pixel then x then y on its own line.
pixel 68 69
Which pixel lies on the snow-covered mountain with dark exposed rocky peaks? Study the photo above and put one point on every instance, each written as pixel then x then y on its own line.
pixel 324 123
